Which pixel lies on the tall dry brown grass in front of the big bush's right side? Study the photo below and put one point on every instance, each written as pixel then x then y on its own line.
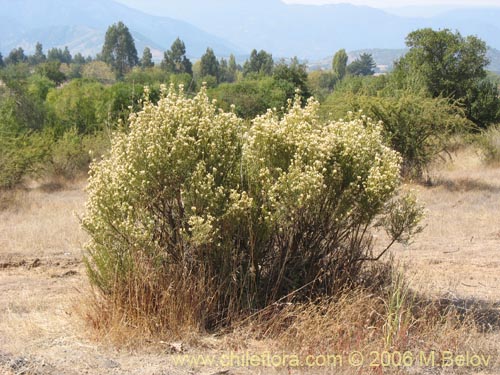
pixel 360 320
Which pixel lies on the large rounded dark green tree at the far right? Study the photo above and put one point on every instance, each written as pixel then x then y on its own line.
pixel 450 65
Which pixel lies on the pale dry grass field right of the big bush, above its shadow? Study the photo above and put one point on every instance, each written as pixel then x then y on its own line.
pixel 458 253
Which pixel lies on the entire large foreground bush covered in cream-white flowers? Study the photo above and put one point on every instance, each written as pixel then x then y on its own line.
pixel 196 220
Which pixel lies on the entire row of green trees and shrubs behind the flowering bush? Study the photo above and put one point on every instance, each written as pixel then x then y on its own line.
pixel 439 83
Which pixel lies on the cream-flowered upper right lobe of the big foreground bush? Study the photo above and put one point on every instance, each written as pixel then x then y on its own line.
pixel 300 161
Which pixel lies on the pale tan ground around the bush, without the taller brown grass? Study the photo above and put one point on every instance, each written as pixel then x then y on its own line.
pixel 42 276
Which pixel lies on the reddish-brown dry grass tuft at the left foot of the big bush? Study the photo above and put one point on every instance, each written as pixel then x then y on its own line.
pixel 176 315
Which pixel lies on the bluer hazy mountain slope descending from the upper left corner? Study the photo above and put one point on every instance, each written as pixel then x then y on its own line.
pixel 81 25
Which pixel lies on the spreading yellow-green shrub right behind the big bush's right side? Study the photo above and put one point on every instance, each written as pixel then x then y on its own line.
pixel 419 128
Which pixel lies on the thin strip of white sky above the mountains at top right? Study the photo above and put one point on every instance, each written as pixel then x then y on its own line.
pixel 402 3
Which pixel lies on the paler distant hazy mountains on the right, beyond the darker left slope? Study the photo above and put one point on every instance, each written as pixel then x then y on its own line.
pixel 316 31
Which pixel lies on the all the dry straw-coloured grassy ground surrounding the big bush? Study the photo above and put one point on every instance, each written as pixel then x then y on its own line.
pixel 457 256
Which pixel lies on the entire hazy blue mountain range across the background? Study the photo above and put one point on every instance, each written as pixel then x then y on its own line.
pixel 310 32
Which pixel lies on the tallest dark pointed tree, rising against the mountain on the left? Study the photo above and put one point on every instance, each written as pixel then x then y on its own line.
pixel 119 49
